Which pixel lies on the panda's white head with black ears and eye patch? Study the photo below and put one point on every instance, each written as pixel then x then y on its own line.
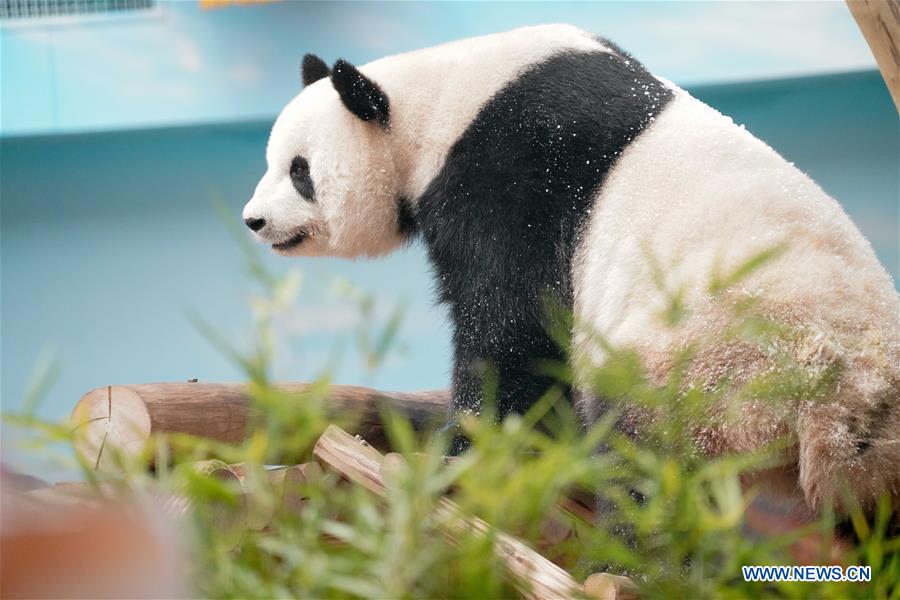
pixel 331 186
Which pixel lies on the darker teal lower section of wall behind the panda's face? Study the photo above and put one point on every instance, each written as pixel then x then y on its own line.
pixel 109 240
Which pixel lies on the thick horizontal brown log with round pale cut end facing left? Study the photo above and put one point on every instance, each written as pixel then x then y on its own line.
pixel 123 418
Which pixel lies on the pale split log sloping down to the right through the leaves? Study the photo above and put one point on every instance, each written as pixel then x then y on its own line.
pixel 535 576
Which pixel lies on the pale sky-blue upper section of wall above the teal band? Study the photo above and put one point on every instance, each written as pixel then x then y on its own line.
pixel 184 65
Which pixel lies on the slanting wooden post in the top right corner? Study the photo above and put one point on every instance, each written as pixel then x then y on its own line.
pixel 879 21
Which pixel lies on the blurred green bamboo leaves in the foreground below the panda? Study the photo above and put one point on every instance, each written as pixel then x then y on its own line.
pixel 674 518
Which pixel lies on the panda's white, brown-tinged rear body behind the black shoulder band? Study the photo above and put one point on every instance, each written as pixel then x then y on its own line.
pixel 701 195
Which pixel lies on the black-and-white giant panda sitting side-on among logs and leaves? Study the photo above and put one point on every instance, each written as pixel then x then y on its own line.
pixel 546 162
